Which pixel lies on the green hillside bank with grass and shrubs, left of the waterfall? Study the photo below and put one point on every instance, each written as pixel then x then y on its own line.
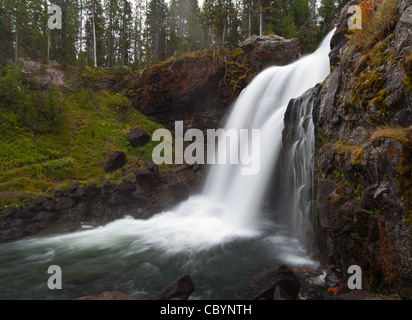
pixel 51 134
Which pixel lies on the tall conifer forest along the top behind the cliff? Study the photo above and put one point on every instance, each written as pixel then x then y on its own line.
pixel 109 33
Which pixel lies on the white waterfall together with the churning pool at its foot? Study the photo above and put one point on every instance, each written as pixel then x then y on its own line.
pixel 215 236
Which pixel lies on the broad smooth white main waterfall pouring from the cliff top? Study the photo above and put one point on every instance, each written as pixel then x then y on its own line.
pixel 262 105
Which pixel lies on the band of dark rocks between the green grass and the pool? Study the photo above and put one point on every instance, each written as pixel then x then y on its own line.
pixel 150 193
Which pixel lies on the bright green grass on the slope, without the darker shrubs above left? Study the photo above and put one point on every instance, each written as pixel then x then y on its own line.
pixel 93 123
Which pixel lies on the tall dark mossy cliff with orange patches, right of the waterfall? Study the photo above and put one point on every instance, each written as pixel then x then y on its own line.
pixel 363 118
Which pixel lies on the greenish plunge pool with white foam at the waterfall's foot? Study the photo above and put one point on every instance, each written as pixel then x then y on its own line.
pixel 140 257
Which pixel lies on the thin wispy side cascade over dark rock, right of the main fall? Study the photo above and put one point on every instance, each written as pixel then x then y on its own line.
pixel 295 171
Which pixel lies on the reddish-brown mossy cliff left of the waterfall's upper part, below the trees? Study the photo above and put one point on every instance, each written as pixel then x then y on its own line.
pixel 199 88
